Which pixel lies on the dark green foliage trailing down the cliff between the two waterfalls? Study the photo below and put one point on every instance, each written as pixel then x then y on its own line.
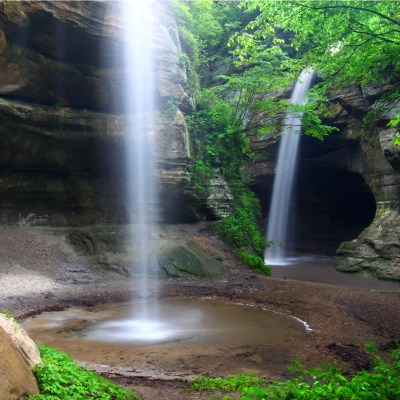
pixel 218 143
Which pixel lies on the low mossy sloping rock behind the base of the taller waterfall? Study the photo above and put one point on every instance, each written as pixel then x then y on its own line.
pixel 111 247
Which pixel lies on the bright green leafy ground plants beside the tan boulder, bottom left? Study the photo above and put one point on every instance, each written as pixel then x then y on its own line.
pixel 60 379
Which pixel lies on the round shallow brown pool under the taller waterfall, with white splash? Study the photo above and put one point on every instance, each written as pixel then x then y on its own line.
pixel 190 337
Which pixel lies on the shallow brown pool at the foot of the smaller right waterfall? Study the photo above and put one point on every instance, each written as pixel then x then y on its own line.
pixel 320 269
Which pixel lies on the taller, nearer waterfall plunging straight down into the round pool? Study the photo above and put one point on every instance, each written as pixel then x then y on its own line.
pixel 141 164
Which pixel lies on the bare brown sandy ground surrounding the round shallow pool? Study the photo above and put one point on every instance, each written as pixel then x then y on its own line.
pixel 39 271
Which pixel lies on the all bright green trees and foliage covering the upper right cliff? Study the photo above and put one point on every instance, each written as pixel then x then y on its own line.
pixel 246 55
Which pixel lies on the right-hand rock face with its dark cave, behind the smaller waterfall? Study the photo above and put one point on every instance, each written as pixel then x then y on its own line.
pixel 348 187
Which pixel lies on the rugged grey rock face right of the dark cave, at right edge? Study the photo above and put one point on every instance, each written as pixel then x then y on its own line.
pixel 377 249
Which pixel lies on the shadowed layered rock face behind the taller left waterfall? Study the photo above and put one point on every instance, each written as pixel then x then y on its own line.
pixel 62 124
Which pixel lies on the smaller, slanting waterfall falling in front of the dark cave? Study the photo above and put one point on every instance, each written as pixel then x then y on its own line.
pixel 285 172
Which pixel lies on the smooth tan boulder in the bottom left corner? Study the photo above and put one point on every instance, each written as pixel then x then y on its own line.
pixel 18 354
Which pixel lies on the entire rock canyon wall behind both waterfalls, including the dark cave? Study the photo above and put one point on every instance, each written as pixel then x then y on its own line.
pixel 62 131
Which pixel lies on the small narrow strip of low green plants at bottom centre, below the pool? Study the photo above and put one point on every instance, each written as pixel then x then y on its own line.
pixel 228 384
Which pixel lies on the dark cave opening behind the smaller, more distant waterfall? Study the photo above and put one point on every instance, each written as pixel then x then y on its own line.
pixel 330 205
